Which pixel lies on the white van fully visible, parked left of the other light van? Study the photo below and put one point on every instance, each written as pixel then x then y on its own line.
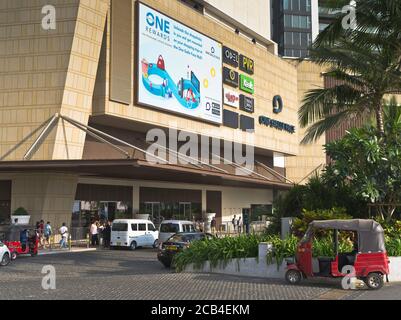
pixel 133 233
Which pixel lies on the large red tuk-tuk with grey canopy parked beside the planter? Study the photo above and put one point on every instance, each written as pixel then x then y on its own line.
pixel 368 259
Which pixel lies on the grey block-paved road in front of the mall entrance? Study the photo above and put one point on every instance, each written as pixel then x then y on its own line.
pixel 138 275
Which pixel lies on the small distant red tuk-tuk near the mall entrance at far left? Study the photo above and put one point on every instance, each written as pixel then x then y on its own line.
pixel 20 239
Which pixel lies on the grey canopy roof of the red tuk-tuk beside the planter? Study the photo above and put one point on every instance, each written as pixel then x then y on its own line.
pixel 370 232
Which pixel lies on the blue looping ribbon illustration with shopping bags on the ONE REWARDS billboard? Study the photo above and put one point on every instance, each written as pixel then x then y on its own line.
pixel 187 92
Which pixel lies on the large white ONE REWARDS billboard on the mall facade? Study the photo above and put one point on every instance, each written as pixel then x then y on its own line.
pixel 178 69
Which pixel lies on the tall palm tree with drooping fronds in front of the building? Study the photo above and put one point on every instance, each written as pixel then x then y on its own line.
pixel 365 61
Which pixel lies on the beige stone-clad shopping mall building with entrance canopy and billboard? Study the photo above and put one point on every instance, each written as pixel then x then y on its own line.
pixel 85 89
